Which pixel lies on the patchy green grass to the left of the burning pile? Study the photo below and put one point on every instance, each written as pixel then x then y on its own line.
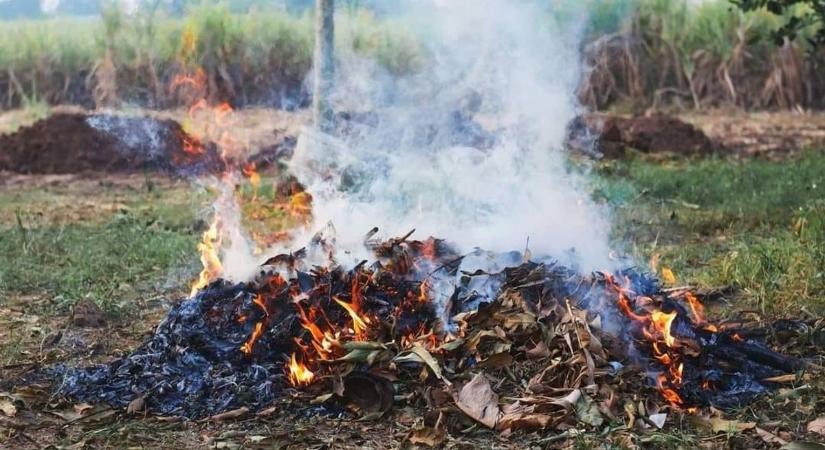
pixel 113 243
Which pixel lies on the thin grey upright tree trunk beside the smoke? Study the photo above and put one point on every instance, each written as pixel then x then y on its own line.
pixel 324 64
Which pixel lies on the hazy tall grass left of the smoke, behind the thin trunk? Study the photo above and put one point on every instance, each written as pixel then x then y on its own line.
pixel 258 57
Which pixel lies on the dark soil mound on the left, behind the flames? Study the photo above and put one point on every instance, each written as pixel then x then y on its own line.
pixel 73 143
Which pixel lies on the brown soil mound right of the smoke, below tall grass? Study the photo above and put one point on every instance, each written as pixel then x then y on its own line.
pixel 611 135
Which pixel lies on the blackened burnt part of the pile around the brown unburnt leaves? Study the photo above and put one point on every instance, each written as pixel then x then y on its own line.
pixel 193 365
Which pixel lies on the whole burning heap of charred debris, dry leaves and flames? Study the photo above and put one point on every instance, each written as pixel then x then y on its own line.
pixel 524 344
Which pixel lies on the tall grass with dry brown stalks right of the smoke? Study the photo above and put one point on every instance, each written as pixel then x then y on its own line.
pixel 674 52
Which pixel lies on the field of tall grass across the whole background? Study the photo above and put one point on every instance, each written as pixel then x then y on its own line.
pixel 640 53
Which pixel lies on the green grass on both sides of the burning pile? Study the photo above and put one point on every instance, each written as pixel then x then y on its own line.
pixel 755 225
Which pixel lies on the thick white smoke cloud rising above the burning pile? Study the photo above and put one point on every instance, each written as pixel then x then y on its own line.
pixel 421 160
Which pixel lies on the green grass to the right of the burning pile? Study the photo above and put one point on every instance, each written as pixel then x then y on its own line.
pixel 755 225
